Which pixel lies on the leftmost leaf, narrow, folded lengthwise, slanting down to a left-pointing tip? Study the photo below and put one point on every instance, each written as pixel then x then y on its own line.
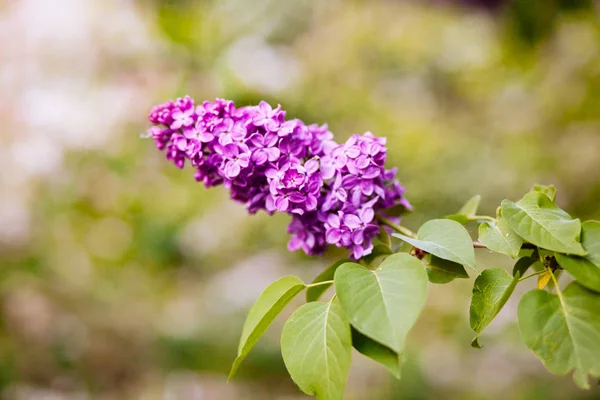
pixel 270 303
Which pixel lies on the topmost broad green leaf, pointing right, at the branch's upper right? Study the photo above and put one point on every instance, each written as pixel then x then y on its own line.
pixel 536 219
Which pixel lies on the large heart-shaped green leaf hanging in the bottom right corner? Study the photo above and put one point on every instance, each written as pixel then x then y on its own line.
pixel 563 330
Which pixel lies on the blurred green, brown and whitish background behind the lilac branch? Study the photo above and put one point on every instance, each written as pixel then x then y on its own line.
pixel 121 278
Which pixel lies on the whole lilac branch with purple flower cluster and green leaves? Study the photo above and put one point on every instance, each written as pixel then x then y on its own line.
pixel 342 195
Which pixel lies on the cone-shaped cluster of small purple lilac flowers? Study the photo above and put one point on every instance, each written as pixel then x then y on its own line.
pixel 331 190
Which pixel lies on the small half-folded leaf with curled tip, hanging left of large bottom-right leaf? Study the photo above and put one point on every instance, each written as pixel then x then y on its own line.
pixel 490 292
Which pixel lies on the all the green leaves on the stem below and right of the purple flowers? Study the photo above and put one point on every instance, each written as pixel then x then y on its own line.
pixel 378 299
